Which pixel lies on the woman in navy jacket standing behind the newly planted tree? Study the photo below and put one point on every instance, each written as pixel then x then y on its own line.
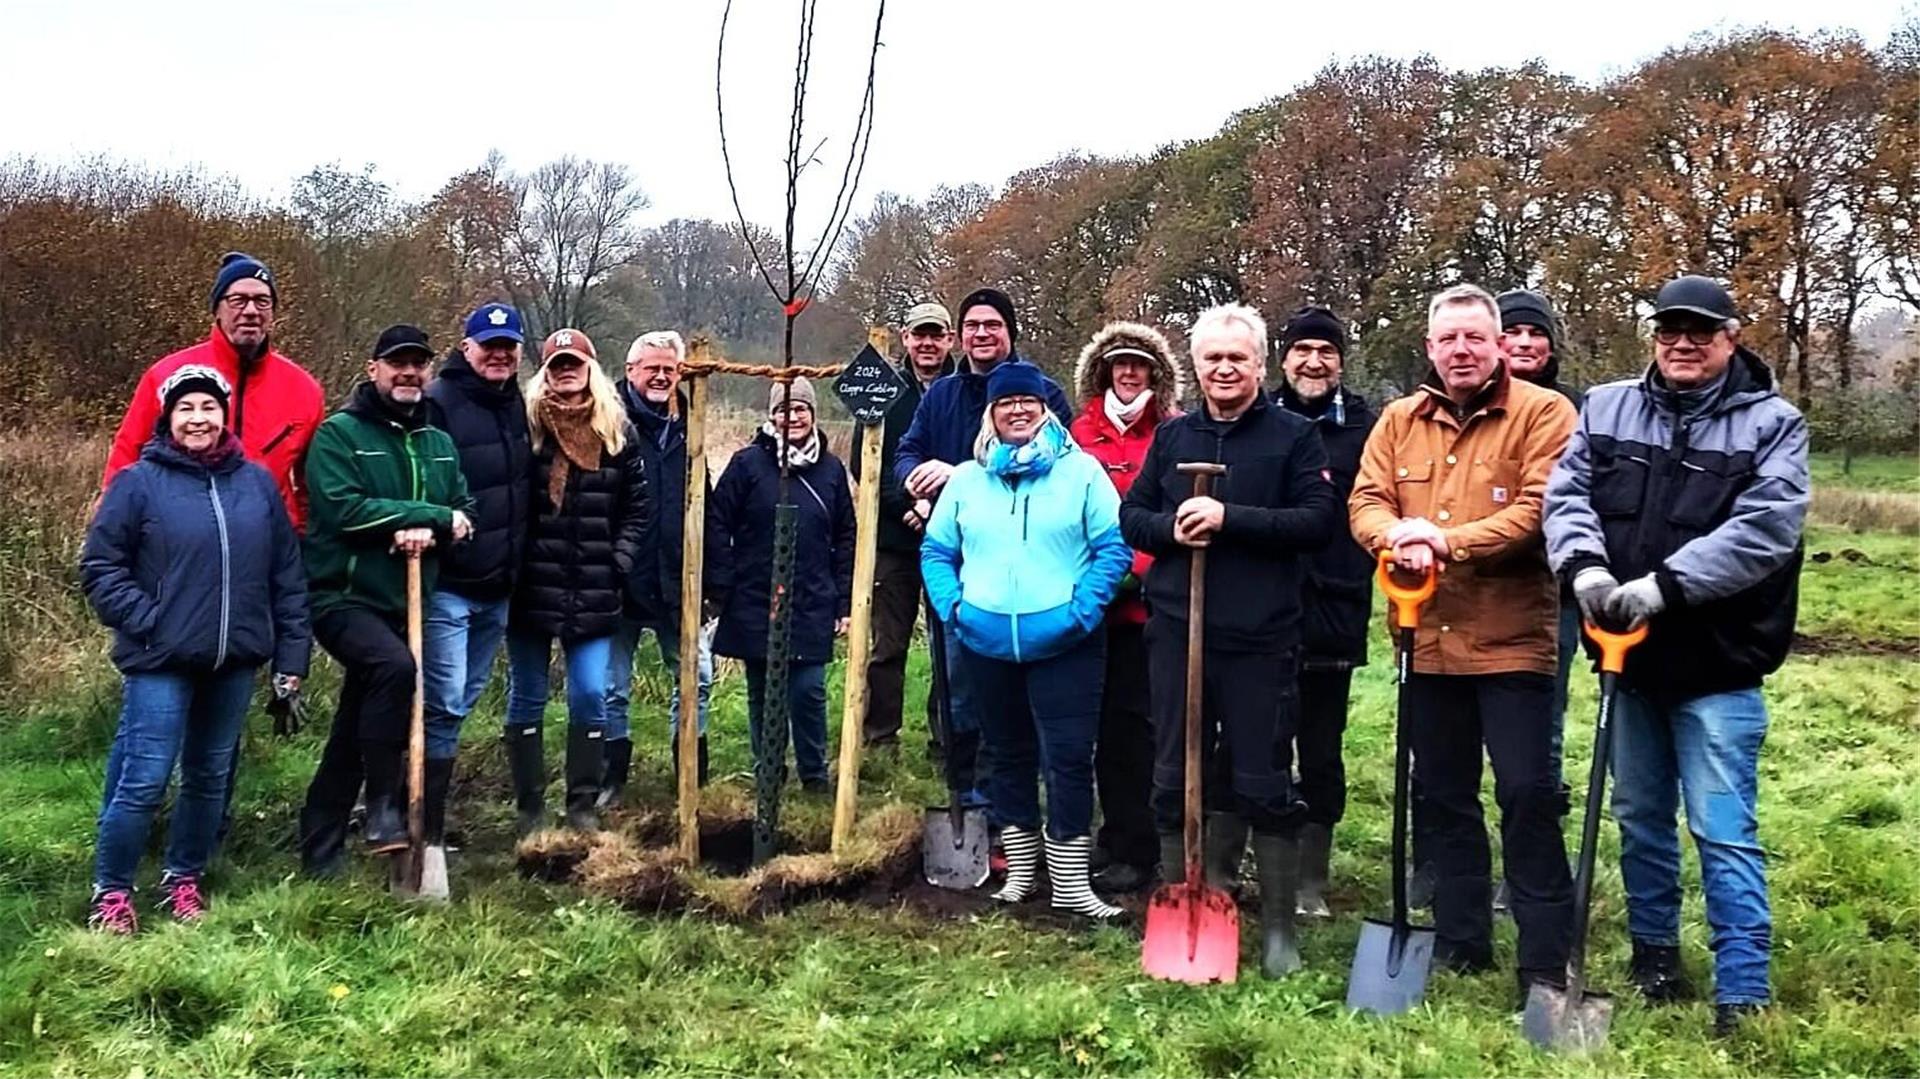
pixel 740 569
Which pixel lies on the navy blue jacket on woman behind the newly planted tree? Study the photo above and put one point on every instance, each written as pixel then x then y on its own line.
pixel 740 552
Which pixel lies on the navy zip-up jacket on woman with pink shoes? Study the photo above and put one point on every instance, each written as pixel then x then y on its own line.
pixel 197 569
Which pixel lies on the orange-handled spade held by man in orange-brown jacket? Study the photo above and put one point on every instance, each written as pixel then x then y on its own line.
pixel 1395 957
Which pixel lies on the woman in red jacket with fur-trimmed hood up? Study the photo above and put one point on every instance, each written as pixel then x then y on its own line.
pixel 1128 383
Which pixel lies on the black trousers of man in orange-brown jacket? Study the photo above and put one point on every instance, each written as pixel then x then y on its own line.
pixel 1452 717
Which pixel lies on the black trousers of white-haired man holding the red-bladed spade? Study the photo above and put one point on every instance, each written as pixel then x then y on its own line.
pixel 1247 731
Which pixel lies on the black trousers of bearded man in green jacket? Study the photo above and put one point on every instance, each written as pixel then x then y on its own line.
pixel 373 711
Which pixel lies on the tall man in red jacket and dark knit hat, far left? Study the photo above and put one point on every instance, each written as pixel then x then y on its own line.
pixel 276 402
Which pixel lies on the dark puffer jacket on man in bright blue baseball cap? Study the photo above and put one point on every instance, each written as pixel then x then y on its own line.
pixel 489 427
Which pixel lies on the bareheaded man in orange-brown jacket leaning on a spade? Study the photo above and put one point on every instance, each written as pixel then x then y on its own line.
pixel 1454 477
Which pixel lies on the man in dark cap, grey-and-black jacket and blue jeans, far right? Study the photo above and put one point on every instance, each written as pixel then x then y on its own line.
pixel 1691 485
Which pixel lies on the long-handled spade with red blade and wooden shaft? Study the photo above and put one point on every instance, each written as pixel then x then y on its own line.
pixel 1193 932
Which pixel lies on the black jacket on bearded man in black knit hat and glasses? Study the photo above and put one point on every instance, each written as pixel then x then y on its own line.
pixel 1337 598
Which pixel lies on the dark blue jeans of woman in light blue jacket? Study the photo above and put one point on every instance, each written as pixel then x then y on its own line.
pixel 1042 719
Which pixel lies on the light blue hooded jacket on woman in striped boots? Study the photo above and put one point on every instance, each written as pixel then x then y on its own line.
pixel 1024 571
